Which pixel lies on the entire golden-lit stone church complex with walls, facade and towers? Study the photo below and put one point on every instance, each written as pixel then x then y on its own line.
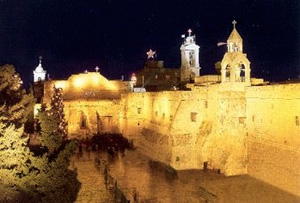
pixel 229 122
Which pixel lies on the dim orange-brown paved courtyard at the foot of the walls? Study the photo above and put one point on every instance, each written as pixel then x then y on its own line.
pixel 134 176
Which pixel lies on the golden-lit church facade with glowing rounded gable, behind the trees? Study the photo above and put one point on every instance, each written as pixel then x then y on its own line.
pixel 91 103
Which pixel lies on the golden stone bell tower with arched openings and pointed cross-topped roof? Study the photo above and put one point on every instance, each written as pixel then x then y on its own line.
pixel 235 66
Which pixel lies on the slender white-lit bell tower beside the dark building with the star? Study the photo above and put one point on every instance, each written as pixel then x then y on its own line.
pixel 190 67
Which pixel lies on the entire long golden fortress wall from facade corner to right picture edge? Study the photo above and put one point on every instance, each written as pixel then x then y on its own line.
pixel 240 130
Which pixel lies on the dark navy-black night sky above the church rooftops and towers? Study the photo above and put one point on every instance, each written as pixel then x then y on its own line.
pixel 73 36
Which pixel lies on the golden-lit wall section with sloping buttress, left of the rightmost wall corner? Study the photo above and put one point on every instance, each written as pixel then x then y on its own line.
pixel 184 129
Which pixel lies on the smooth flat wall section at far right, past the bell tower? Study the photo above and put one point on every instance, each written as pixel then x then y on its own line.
pixel 274 135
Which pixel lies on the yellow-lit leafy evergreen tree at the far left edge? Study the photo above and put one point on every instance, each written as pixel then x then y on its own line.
pixel 14 151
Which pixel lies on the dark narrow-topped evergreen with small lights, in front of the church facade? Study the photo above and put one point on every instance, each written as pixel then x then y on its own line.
pixel 54 181
